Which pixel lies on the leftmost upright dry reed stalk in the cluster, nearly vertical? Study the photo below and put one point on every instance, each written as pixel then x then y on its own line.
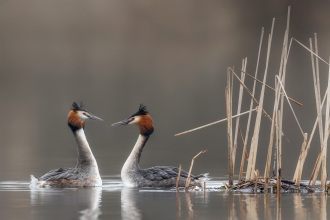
pixel 229 130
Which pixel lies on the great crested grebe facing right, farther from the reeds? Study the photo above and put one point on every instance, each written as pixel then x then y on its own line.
pixel 86 172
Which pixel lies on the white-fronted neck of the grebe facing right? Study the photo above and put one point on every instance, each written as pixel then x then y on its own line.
pixel 86 158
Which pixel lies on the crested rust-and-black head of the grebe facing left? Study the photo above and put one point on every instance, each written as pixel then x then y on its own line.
pixel 142 119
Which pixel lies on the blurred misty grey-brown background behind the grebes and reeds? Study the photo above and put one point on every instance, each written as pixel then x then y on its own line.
pixel 169 55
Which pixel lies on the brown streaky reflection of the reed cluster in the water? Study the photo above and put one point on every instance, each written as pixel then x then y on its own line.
pixel 247 206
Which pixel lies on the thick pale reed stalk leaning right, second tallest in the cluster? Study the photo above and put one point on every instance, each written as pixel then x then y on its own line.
pixel 255 139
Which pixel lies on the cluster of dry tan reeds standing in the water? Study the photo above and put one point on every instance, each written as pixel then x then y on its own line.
pixel 276 133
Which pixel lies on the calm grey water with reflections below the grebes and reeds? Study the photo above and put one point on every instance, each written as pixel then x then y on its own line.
pixel 113 201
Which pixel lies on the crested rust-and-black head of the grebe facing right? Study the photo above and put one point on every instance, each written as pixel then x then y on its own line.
pixel 77 116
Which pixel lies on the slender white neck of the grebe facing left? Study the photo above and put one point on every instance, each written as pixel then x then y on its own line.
pixel 132 163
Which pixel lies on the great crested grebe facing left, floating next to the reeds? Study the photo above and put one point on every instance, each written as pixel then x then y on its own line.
pixel 159 176
